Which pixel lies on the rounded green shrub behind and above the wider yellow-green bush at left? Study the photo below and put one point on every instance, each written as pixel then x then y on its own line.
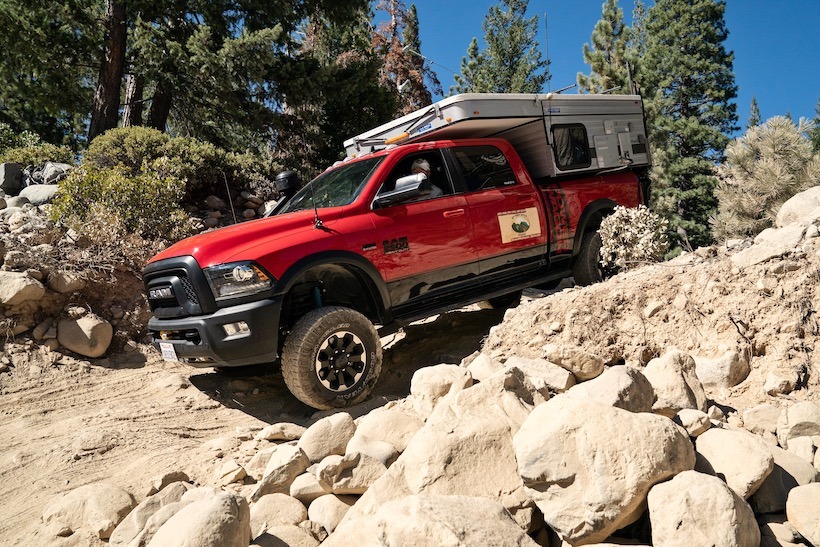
pixel 133 148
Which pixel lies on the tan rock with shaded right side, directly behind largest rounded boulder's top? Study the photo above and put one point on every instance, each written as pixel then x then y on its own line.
pixel 622 387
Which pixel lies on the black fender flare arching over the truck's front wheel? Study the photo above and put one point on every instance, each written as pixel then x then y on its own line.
pixel 374 285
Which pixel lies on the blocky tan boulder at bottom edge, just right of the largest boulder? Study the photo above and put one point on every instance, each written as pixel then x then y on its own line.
pixel 697 509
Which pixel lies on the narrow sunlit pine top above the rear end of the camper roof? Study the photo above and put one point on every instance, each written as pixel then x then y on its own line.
pixel 608 54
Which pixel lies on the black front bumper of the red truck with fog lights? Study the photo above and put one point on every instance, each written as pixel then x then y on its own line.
pixel 201 341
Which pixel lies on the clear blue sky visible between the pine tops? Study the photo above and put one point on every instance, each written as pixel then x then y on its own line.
pixel 776 45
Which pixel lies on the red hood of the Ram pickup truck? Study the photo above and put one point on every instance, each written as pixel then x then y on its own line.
pixel 234 242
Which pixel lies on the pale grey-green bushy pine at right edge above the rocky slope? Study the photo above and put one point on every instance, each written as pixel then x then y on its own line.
pixel 766 166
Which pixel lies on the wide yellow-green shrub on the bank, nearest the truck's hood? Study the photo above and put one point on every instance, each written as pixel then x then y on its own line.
pixel 147 204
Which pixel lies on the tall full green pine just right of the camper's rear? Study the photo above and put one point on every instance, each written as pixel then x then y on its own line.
pixel 689 85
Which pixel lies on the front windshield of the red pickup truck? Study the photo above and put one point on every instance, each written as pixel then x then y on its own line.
pixel 332 188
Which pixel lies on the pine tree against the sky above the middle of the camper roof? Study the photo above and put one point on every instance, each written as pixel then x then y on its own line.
pixel 511 62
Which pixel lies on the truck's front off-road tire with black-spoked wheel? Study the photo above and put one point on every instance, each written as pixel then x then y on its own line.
pixel 338 343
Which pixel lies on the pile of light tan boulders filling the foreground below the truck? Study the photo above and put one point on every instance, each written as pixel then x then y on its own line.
pixel 503 461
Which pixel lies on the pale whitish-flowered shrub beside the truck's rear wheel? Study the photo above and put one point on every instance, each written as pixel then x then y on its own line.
pixel 632 236
